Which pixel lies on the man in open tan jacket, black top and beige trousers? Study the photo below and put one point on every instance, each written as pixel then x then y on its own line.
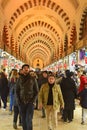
pixel 50 97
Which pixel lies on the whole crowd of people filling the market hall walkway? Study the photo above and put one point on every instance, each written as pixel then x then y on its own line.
pixel 50 92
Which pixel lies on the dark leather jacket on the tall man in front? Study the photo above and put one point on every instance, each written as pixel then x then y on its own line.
pixel 26 89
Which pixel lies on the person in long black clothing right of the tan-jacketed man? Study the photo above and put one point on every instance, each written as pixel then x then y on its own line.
pixel 68 89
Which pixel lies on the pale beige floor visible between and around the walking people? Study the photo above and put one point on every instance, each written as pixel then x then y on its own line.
pixel 40 124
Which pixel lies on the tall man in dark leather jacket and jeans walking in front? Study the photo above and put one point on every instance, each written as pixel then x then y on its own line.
pixel 27 91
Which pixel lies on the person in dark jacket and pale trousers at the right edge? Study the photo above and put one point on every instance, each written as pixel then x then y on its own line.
pixel 83 102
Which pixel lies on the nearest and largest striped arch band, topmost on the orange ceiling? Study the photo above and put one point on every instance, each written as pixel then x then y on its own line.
pixel 32 3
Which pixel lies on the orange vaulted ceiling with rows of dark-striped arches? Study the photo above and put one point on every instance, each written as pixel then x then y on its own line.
pixel 41 30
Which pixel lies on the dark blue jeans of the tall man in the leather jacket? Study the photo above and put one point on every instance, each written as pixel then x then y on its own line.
pixel 27 111
